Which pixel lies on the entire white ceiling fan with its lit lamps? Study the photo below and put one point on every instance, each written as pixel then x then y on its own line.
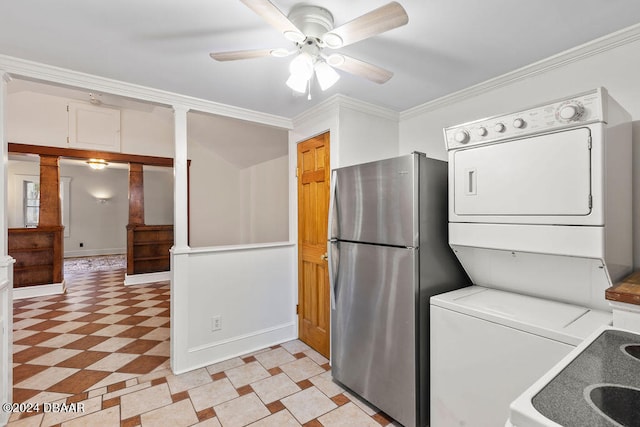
pixel 311 29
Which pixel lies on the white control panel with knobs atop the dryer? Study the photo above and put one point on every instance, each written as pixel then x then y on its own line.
pixel 580 109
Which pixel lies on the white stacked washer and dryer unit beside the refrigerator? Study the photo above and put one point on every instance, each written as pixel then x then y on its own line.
pixel 540 216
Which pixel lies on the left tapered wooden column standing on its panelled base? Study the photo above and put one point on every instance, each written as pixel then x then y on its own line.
pixel 50 210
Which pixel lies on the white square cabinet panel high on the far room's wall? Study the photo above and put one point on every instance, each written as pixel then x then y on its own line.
pixel 93 127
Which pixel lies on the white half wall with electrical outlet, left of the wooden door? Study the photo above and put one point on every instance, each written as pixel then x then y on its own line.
pixel 256 304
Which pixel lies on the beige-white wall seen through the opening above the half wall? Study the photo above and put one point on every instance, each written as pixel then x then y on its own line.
pixel 238 182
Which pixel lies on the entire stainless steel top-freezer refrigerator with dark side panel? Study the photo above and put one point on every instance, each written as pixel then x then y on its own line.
pixel 389 254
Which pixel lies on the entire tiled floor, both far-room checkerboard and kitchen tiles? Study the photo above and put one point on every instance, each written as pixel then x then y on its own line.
pixel 109 355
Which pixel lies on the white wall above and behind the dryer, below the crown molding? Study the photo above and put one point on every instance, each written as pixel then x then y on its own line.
pixel 616 69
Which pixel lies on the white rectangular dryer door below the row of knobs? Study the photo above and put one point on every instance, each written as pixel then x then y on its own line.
pixel 546 175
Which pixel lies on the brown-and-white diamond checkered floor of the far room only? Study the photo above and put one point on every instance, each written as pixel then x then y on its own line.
pixel 45 345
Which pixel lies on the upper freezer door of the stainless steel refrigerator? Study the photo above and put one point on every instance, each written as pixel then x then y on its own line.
pixel 377 202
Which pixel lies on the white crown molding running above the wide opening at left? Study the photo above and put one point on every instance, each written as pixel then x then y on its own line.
pixel 32 70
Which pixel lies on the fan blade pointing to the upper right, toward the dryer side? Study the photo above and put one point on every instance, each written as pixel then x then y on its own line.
pixel 377 21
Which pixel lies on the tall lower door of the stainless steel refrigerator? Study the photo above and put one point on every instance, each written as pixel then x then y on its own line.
pixel 374 326
